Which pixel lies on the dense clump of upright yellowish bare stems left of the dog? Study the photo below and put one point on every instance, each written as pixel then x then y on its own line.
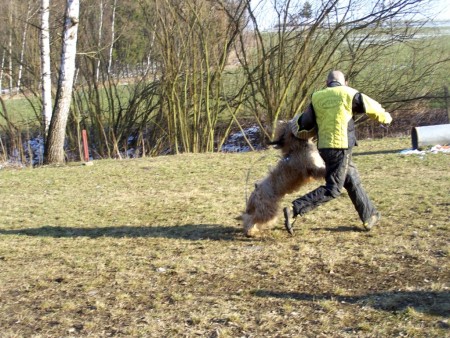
pixel 195 40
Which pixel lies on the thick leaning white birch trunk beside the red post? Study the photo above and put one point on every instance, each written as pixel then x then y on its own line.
pixel 54 149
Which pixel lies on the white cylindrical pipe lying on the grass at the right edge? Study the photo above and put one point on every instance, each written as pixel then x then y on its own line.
pixel 430 135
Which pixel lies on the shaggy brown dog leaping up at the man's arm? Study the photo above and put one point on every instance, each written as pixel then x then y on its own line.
pixel 300 164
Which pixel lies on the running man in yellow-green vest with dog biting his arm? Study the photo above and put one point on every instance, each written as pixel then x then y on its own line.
pixel 334 108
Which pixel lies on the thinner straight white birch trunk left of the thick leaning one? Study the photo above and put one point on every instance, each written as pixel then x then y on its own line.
pixel 45 66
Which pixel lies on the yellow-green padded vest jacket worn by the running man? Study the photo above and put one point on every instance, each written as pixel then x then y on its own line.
pixel 334 108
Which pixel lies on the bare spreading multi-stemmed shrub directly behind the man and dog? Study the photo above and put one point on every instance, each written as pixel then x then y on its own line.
pixel 290 61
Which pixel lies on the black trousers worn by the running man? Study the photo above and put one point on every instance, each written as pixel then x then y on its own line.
pixel 340 173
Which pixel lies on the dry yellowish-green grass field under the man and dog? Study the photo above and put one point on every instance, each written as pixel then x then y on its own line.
pixel 151 247
